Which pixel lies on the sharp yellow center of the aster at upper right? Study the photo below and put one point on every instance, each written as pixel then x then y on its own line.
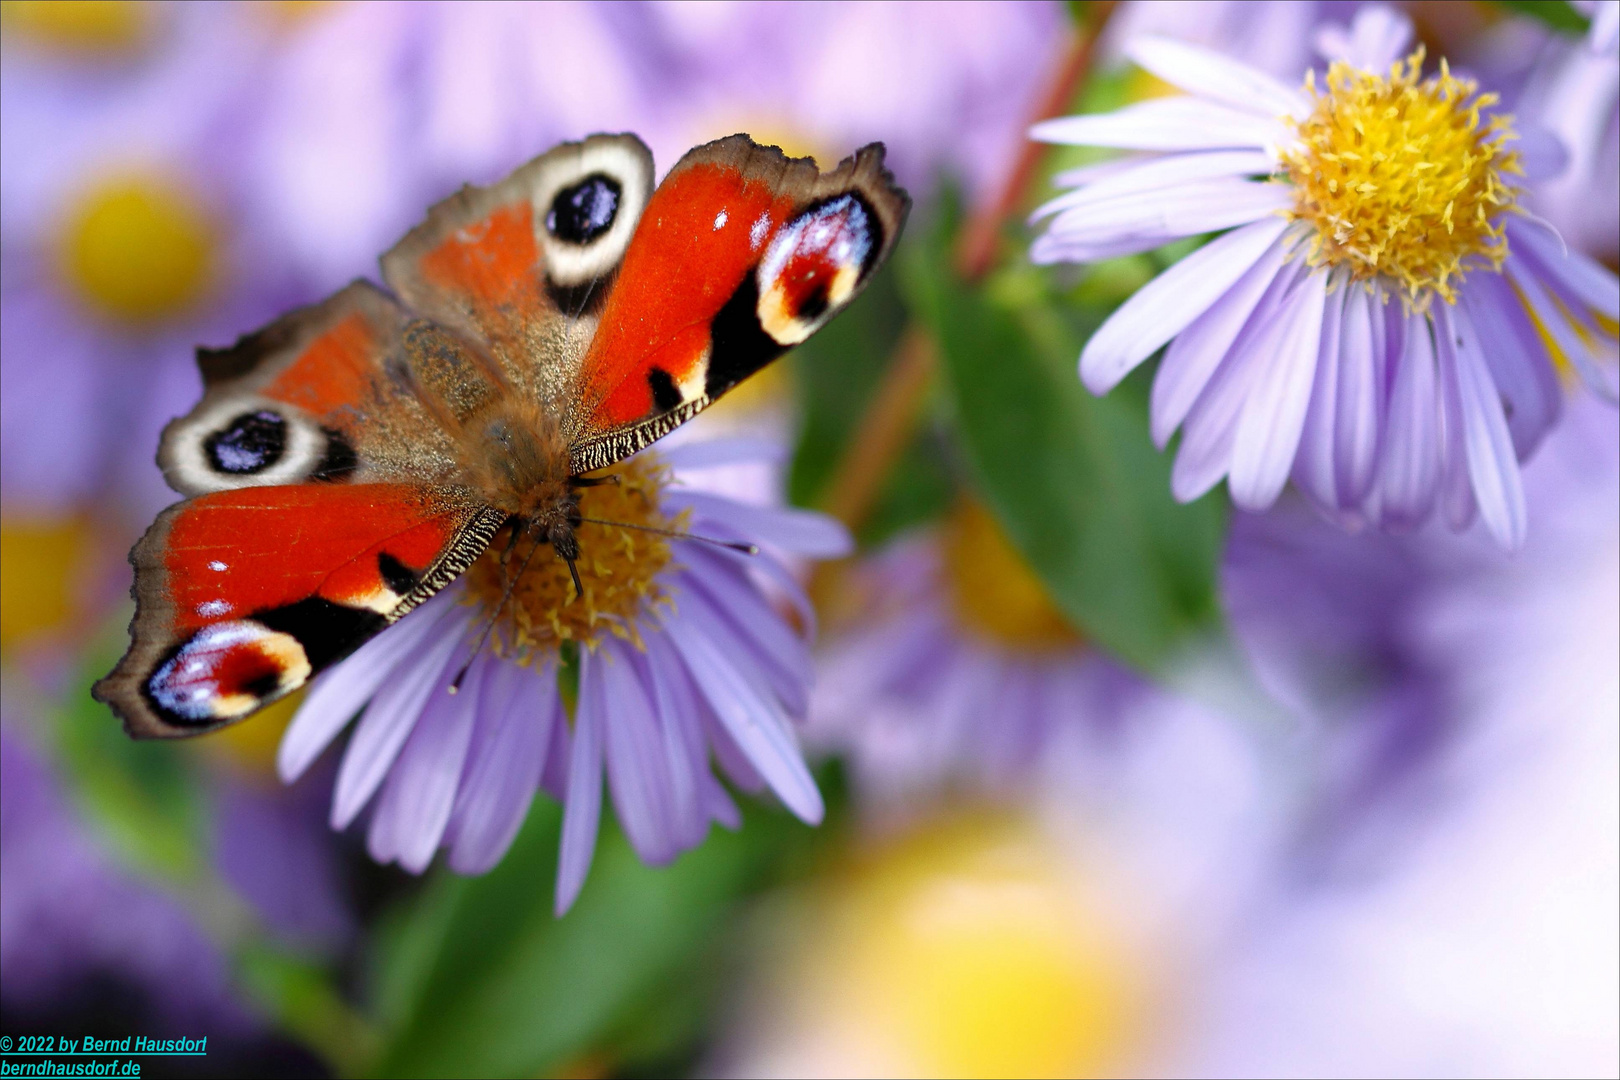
pixel 1402 179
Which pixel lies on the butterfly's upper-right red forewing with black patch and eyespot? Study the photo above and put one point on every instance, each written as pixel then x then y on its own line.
pixel 741 255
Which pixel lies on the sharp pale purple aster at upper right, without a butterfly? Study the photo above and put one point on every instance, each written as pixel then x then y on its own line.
pixel 1381 323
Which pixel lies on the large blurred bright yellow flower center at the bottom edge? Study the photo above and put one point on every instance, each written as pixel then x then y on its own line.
pixel 973 950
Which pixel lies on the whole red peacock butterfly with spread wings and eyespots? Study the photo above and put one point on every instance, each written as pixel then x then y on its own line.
pixel 354 457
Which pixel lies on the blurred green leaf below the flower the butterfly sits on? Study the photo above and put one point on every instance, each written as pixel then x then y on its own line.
pixel 480 979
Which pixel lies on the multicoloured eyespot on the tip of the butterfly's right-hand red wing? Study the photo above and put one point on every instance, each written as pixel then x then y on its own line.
pixel 814 266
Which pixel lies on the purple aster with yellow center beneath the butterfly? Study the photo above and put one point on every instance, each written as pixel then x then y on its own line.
pixel 681 657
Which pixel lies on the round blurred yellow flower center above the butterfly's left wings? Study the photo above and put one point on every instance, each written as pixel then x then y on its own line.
pixel 139 247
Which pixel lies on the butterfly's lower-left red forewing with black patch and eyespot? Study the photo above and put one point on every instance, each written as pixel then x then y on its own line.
pixel 242 597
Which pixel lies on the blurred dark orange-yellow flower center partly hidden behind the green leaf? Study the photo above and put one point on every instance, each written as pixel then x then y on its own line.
pixel 994 592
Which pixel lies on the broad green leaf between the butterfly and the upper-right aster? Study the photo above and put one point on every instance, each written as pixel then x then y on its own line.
pixel 1075 480
